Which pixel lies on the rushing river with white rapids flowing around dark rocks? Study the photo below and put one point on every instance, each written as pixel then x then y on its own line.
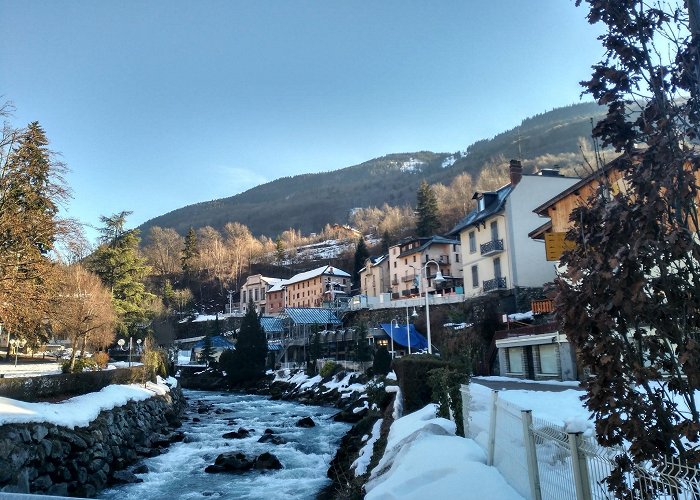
pixel 179 473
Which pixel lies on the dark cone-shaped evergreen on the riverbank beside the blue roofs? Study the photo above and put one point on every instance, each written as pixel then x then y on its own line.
pixel 247 362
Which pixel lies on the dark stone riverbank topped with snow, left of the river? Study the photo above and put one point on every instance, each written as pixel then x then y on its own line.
pixel 79 446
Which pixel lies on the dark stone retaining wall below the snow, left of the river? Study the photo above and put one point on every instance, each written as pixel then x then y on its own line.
pixel 49 459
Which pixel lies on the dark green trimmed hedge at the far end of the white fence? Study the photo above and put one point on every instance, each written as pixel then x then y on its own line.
pixel 412 375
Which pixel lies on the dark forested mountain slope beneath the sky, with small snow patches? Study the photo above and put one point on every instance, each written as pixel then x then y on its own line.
pixel 310 201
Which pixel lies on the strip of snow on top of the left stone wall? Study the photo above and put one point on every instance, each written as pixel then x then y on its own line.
pixel 80 410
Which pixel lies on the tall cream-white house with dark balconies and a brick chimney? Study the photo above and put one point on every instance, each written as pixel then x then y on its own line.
pixel 497 253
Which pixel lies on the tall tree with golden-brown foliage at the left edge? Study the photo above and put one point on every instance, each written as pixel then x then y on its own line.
pixel 30 190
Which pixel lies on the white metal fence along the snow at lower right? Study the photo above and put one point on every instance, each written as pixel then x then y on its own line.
pixel 542 461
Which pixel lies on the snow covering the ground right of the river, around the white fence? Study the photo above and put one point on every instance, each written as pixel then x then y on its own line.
pixel 425 459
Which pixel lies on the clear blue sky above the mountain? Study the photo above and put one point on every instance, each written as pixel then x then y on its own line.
pixel 160 104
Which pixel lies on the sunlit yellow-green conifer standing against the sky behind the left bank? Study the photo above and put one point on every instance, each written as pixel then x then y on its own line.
pixel 123 271
